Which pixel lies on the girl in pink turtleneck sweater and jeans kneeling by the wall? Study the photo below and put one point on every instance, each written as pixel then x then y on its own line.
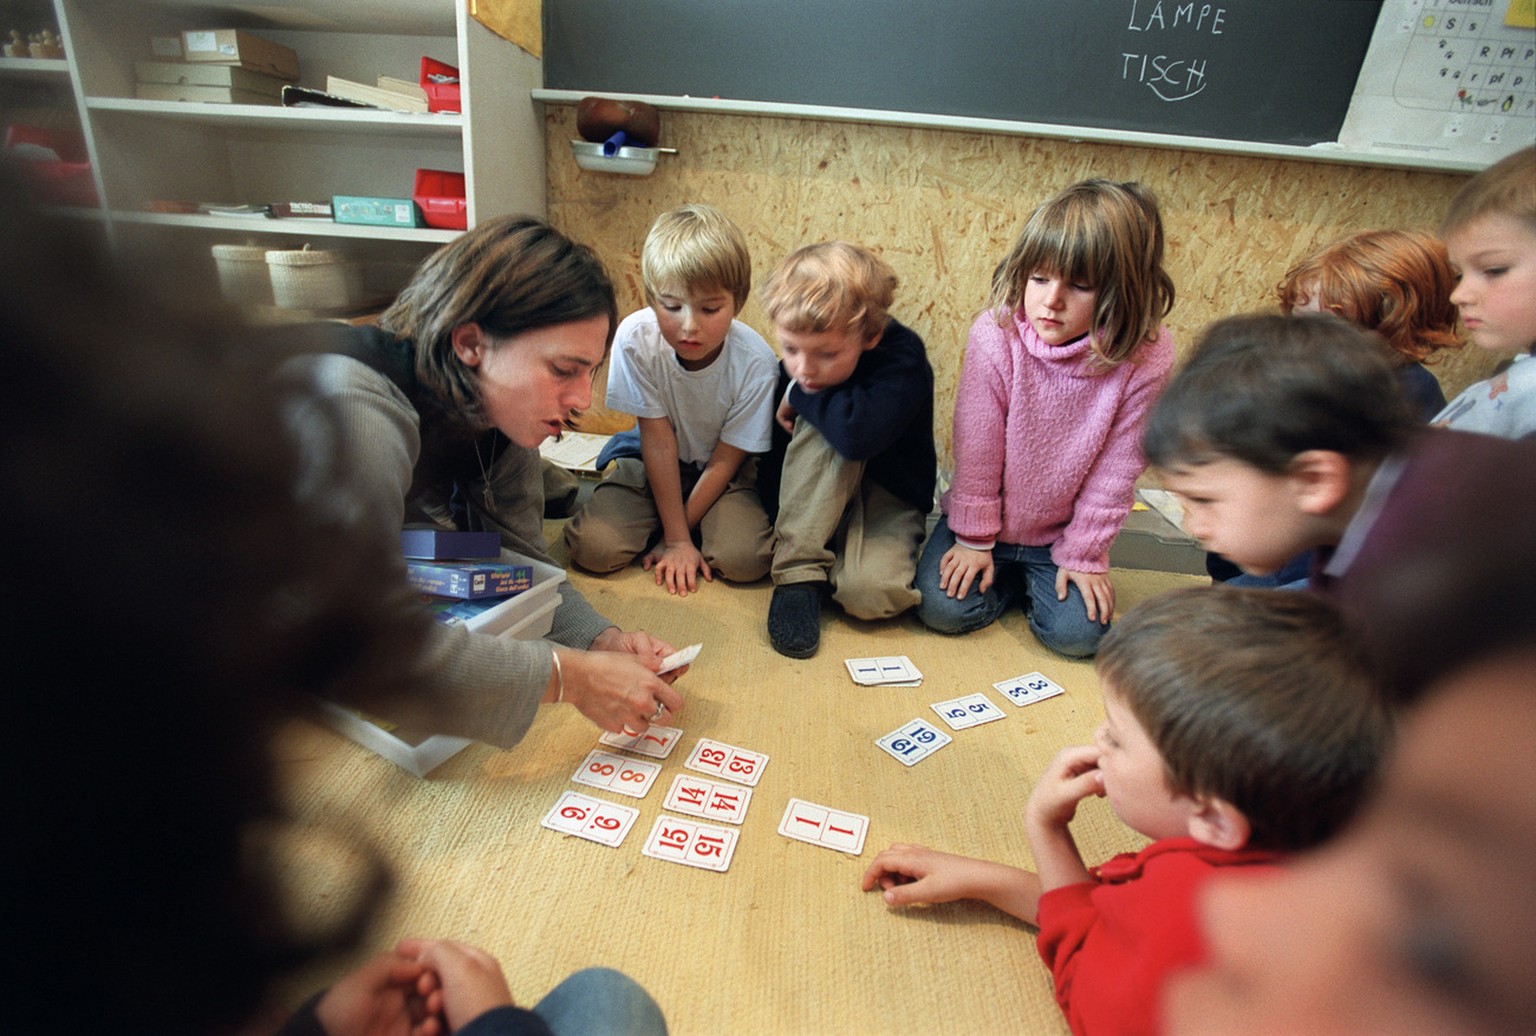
pixel 1059 376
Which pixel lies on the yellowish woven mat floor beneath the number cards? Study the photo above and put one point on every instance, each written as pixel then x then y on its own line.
pixel 784 941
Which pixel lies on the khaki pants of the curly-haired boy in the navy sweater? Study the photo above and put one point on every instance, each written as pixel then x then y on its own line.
pixel 836 526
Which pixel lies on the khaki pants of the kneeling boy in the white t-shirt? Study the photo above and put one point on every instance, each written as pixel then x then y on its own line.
pixel 621 522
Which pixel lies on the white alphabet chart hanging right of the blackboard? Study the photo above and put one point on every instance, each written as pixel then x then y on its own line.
pixel 1448 78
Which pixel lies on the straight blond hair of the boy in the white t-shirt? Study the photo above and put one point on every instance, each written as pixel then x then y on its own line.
pixel 697 247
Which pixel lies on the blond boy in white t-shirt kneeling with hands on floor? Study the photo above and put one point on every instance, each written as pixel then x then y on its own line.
pixel 701 384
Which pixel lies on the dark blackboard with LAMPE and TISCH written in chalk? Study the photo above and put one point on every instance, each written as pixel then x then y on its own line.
pixel 1270 71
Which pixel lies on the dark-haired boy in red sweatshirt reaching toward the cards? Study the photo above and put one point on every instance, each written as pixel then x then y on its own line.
pixel 1239 726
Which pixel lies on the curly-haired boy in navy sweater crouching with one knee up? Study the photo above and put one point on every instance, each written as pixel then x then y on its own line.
pixel 858 467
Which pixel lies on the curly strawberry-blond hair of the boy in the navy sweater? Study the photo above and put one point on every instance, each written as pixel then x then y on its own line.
pixel 830 287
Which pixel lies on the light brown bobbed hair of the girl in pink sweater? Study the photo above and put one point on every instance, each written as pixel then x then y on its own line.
pixel 1104 234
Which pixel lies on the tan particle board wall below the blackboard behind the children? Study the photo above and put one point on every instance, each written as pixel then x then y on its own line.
pixel 942 207
